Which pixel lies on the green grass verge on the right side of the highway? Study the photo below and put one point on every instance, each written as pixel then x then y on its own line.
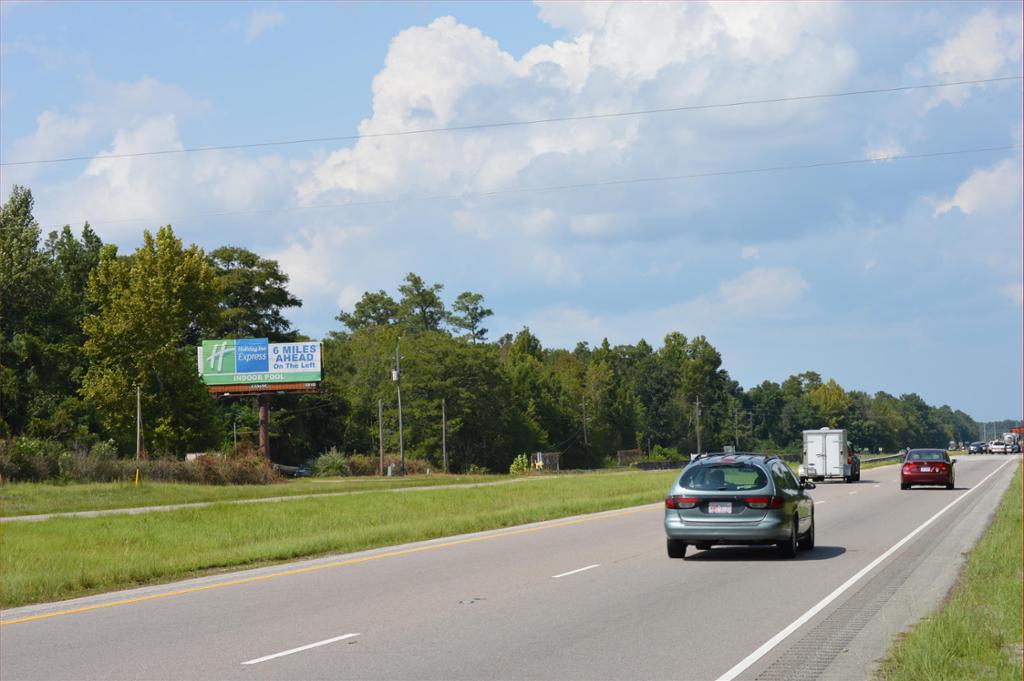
pixel 977 634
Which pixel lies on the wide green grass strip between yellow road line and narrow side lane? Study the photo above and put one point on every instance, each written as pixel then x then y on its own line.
pixel 65 558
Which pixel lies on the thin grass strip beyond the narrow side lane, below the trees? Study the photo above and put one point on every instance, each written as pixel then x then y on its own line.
pixel 35 498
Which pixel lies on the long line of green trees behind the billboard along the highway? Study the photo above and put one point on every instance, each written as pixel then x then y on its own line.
pixel 83 327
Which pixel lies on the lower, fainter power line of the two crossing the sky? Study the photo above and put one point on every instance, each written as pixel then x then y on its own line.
pixel 563 188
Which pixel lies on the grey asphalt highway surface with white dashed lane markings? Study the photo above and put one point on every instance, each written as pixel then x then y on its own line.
pixel 592 598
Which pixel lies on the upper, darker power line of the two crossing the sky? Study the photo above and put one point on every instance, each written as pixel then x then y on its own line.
pixel 509 124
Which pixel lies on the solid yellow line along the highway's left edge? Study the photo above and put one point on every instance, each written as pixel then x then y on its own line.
pixel 315 569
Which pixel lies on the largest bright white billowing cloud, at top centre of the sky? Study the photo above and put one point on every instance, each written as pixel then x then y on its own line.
pixel 622 56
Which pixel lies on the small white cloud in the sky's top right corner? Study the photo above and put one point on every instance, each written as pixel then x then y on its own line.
pixel 985 48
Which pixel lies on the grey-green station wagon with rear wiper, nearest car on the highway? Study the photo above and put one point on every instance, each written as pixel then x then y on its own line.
pixel 739 499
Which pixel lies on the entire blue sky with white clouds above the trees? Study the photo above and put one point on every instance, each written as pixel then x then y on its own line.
pixel 903 275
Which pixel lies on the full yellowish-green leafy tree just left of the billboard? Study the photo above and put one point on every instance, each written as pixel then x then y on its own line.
pixel 153 310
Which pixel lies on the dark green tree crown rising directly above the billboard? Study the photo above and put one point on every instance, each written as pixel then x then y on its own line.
pixel 254 295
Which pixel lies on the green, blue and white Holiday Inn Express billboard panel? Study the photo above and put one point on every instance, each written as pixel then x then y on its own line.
pixel 254 361
